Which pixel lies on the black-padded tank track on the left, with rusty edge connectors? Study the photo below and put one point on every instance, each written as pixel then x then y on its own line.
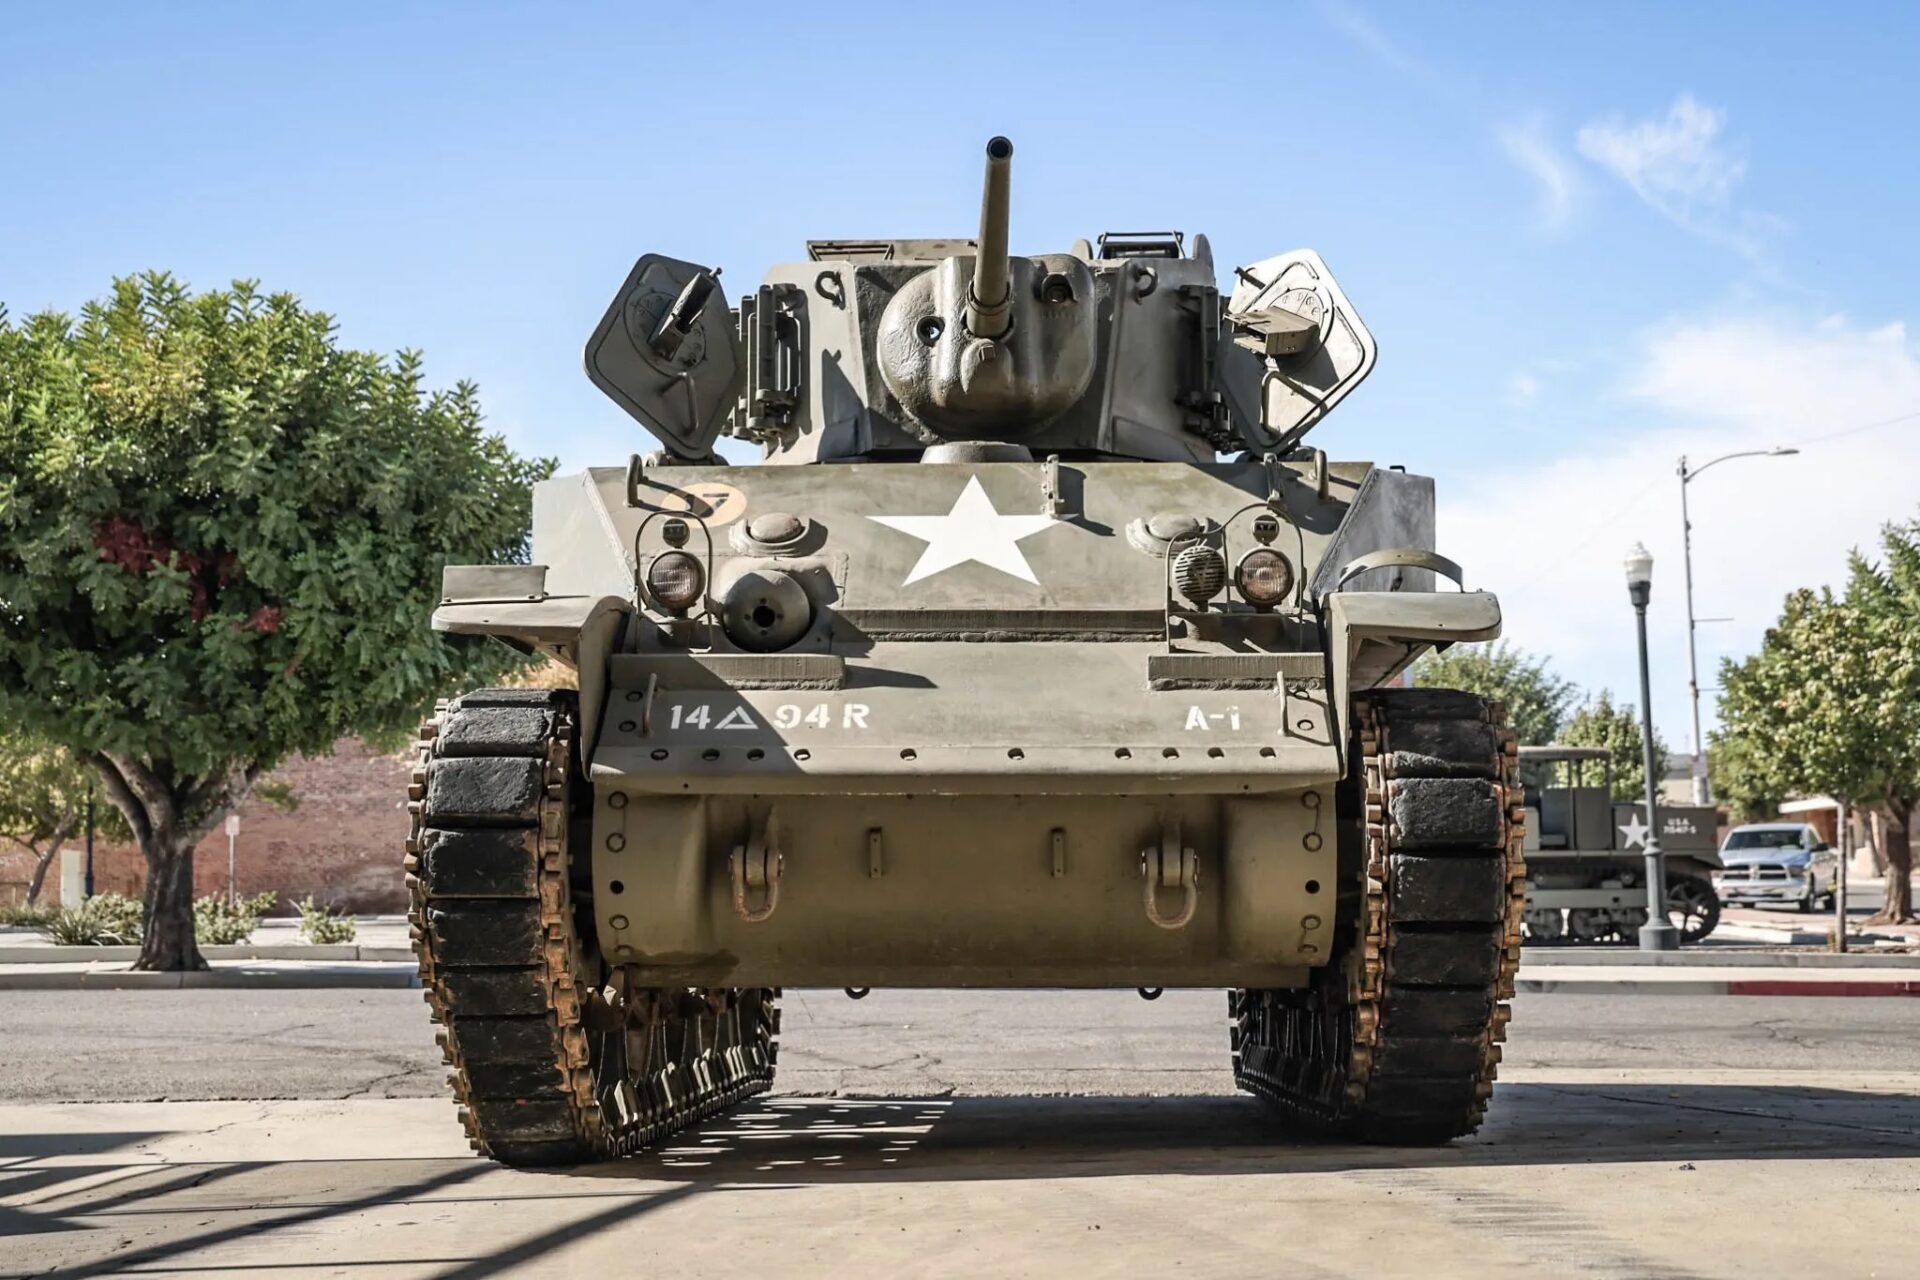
pixel 552 1056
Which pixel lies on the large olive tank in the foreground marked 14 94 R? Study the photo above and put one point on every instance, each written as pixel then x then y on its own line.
pixel 1038 652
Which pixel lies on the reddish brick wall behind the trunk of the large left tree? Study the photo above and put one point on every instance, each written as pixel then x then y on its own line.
pixel 343 845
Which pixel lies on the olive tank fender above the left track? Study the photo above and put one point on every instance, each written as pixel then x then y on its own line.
pixel 512 604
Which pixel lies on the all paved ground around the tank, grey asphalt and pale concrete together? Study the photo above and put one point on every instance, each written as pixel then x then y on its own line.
pixel 1631 1139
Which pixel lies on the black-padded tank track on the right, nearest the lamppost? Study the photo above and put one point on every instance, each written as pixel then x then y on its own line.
pixel 1399 1039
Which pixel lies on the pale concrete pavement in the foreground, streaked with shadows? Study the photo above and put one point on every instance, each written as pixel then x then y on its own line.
pixel 1621 1177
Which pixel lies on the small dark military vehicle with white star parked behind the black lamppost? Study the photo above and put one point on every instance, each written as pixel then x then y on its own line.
pixel 1587 876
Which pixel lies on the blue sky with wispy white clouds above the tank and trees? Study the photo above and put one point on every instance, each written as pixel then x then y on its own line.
pixel 1587 239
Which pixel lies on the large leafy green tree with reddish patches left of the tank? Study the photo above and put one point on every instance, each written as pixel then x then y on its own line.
pixel 220 538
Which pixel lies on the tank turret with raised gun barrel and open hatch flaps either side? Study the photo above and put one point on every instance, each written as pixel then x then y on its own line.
pixel 878 350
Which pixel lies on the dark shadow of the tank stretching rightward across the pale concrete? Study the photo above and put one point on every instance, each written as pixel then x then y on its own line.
pixel 805 1141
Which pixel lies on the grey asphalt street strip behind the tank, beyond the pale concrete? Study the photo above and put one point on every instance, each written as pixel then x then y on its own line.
pixel 208 1045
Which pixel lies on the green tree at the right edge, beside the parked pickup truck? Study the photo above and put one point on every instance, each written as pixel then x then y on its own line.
pixel 1831 703
